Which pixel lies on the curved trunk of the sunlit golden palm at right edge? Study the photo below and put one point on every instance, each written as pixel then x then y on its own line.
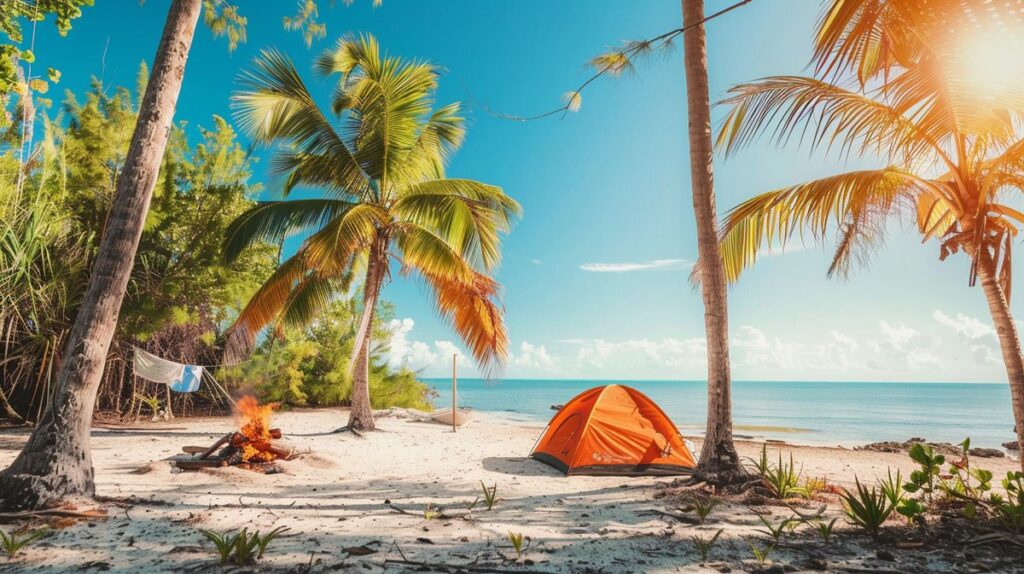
pixel 1010 342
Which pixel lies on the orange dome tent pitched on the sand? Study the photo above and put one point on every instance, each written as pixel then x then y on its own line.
pixel 614 430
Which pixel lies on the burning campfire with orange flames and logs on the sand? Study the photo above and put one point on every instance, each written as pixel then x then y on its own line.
pixel 254 447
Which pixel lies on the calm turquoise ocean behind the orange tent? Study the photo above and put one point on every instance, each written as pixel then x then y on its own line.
pixel 804 413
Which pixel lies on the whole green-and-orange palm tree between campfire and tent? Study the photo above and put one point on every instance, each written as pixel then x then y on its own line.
pixel 382 170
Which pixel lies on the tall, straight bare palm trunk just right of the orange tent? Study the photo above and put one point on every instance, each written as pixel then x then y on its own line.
pixel 719 463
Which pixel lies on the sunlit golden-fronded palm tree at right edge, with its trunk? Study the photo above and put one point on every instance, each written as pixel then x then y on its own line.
pixel 955 158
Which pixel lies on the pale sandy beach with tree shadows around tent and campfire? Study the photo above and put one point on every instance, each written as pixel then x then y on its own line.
pixel 361 504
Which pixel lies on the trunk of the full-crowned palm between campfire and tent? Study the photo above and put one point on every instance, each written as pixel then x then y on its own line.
pixel 361 416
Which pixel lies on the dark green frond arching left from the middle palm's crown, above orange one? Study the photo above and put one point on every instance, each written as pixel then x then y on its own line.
pixel 273 222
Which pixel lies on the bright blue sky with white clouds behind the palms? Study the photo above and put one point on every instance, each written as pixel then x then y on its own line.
pixel 596 273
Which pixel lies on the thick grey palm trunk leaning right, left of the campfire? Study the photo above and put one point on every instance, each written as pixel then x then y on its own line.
pixel 57 464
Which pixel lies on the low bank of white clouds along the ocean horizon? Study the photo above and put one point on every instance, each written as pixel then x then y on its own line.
pixel 894 351
